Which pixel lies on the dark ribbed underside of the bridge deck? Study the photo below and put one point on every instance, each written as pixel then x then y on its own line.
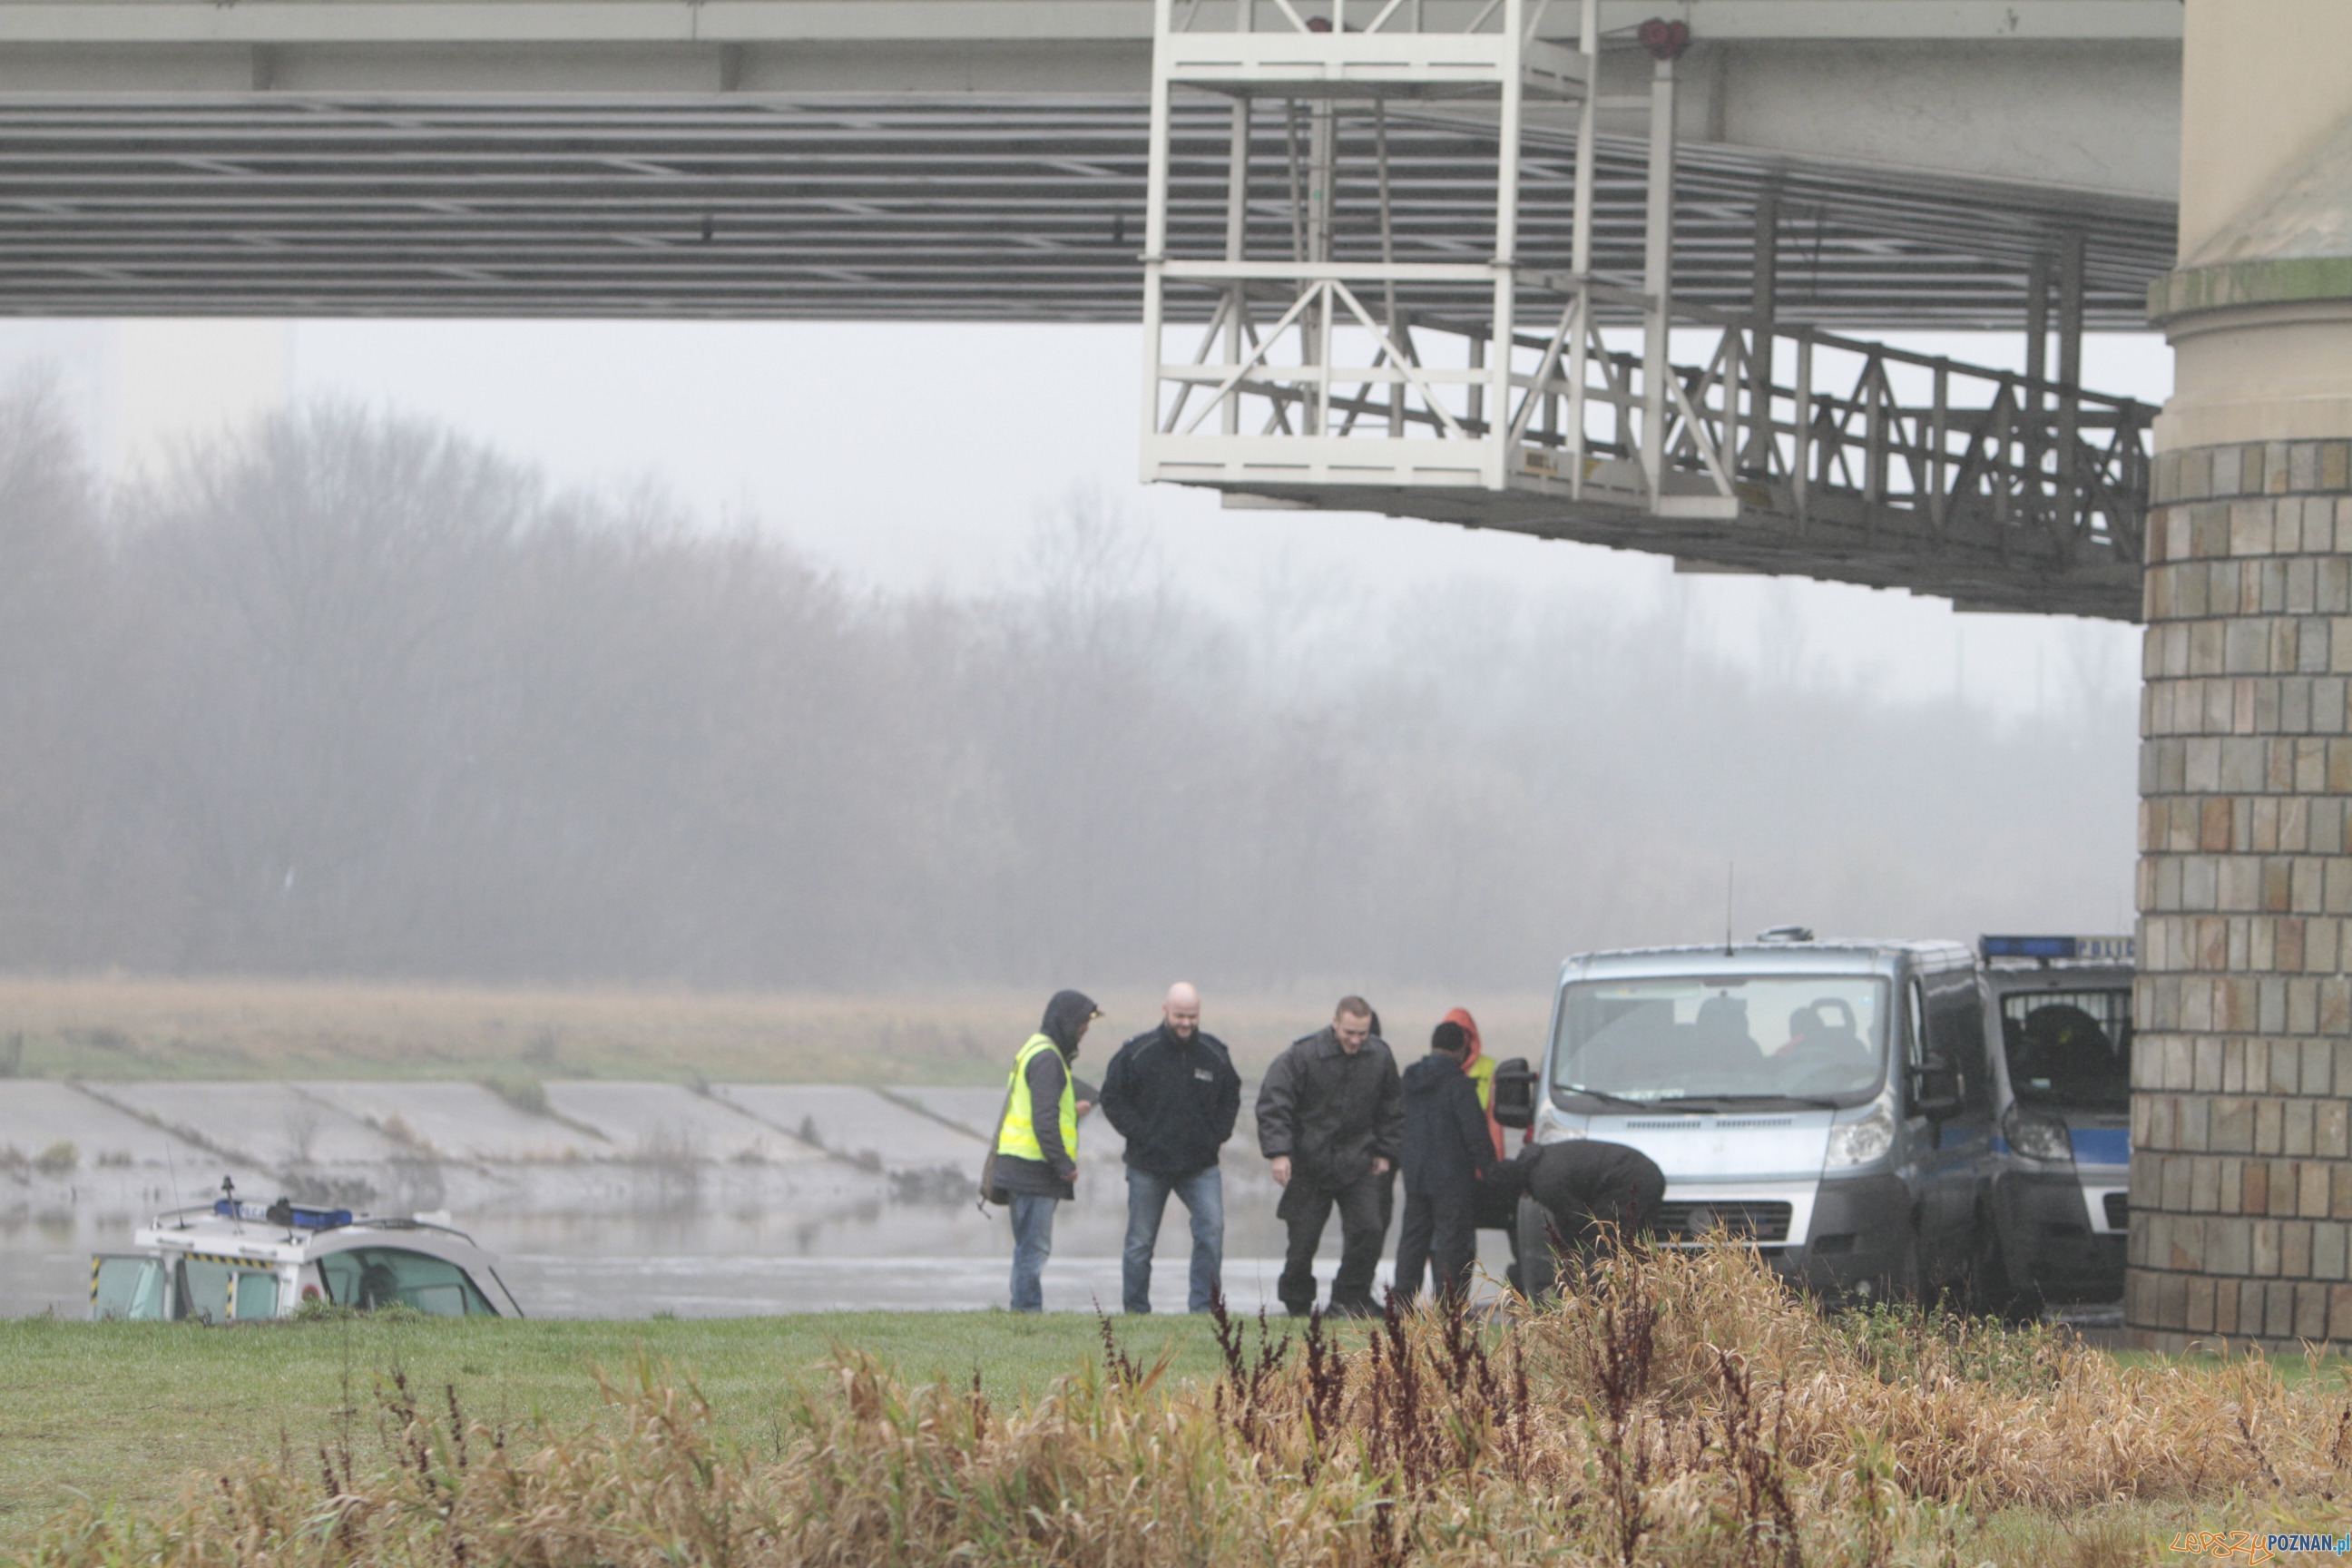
pixel 914 208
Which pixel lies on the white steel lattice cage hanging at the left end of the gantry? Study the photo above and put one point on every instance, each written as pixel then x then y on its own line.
pixel 1339 354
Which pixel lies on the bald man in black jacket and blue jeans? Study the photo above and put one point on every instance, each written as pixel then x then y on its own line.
pixel 1175 1094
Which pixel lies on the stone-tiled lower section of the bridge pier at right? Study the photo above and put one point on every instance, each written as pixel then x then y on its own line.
pixel 2243 1146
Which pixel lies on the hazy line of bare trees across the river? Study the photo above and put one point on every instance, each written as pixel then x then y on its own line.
pixel 356 697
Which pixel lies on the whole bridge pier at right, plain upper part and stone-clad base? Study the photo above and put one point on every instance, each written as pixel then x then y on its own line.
pixel 2243 1071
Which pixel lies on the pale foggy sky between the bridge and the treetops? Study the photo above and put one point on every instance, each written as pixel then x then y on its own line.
pixel 909 457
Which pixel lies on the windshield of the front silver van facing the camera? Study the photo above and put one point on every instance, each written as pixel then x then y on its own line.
pixel 1723 1038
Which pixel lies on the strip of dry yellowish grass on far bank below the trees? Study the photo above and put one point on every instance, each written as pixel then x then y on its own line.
pixel 128 1028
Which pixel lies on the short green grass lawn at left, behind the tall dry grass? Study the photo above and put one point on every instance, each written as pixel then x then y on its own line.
pixel 138 1409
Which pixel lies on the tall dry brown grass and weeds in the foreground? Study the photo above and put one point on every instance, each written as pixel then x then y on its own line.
pixel 1669 1409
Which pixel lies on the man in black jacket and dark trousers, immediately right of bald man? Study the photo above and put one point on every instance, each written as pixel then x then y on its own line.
pixel 1330 1120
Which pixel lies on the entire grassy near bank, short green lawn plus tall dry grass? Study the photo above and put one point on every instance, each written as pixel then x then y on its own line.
pixel 1685 1412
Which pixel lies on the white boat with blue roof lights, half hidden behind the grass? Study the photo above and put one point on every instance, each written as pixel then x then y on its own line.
pixel 239 1264
